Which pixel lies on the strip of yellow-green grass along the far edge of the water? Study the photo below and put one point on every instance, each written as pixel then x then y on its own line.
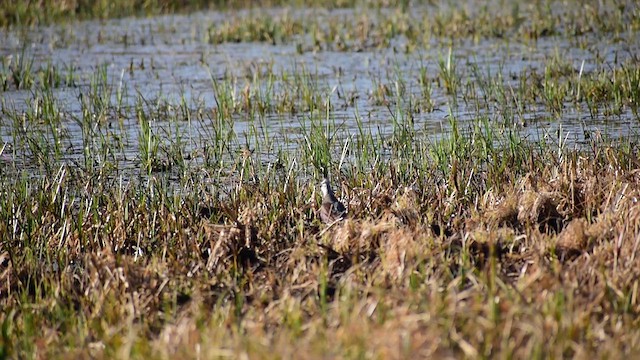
pixel 414 20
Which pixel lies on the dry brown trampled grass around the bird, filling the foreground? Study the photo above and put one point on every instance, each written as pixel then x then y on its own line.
pixel 544 266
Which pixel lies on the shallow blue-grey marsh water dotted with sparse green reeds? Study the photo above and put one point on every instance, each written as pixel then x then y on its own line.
pixel 169 68
